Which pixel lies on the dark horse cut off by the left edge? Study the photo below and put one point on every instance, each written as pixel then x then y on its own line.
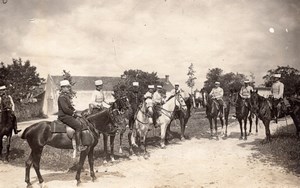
pixel 6 127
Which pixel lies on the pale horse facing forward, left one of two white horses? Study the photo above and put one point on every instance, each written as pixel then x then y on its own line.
pixel 142 121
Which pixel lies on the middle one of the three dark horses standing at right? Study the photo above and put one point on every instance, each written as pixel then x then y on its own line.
pixel 243 113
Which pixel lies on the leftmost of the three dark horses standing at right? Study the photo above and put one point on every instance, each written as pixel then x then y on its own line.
pixel 213 112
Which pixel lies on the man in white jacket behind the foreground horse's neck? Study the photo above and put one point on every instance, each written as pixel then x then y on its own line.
pixel 98 97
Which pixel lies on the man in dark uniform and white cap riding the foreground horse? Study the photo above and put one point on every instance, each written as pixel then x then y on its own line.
pixel 67 113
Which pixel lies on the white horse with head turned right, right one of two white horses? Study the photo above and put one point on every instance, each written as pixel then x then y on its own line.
pixel 166 115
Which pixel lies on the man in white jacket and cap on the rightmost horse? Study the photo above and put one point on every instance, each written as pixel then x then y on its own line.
pixel 277 90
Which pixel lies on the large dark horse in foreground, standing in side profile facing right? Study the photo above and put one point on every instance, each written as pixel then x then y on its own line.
pixel 39 134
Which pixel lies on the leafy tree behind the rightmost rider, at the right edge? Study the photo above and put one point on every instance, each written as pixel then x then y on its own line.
pixel 290 77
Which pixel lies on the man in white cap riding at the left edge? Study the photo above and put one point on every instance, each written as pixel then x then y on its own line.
pixel 7 105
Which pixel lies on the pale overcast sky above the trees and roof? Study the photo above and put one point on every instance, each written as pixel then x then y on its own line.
pixel 105 38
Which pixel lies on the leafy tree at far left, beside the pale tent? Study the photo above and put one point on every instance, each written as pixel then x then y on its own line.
pixel 19 77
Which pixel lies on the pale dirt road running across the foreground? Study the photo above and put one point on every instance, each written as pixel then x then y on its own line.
pixel 193 163
